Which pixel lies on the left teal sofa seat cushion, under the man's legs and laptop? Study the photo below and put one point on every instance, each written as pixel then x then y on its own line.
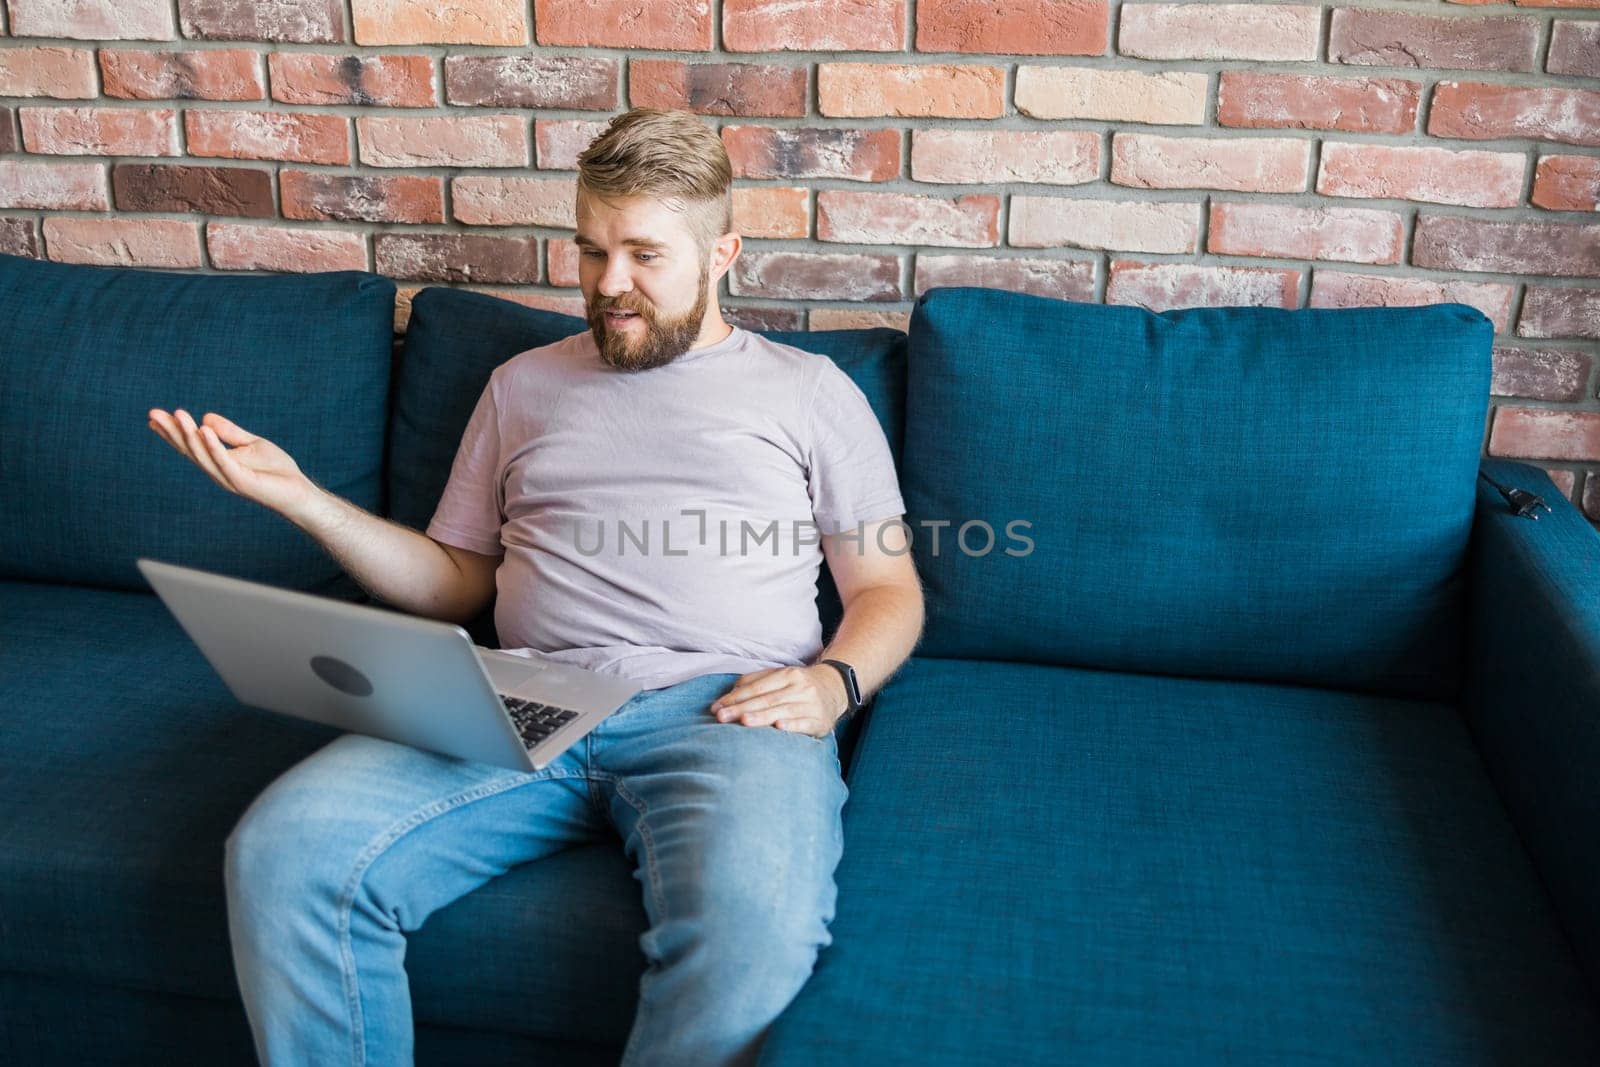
pixel 126 762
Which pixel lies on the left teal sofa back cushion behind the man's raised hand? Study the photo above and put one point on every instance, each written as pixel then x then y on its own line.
pixel 87 487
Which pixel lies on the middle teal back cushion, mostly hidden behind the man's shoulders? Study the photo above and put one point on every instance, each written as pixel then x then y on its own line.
pixel 457 338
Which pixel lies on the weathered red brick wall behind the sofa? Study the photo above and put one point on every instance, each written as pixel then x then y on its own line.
pixel 1158 154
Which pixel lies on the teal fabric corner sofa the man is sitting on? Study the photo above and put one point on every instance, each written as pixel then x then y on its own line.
pixel 1266 730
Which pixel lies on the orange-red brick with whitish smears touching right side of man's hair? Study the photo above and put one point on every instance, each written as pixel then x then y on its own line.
pixel 804 153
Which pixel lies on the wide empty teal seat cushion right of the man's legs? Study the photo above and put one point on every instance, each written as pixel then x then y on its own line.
pixel 1052 865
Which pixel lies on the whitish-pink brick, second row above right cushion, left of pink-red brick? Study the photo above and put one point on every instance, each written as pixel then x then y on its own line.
pixel 1116 225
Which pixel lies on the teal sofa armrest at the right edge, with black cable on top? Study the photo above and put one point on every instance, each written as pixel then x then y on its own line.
pixel 1532 689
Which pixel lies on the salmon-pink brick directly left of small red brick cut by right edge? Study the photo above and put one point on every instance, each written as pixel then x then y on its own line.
pixel 1478 180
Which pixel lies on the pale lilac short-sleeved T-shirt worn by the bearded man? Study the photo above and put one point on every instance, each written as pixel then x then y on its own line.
pixel 665 524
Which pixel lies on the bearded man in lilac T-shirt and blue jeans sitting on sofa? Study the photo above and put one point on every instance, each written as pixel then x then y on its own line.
pixel 722 778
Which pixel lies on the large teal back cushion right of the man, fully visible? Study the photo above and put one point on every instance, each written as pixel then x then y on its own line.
pixel 1225 492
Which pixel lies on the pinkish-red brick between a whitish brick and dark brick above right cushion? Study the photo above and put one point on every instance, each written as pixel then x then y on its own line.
pixel 1294 233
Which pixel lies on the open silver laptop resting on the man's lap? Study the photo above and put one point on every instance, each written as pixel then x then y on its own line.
pixel 383 673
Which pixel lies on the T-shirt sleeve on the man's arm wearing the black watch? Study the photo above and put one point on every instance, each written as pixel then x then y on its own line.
pixel 852 471
